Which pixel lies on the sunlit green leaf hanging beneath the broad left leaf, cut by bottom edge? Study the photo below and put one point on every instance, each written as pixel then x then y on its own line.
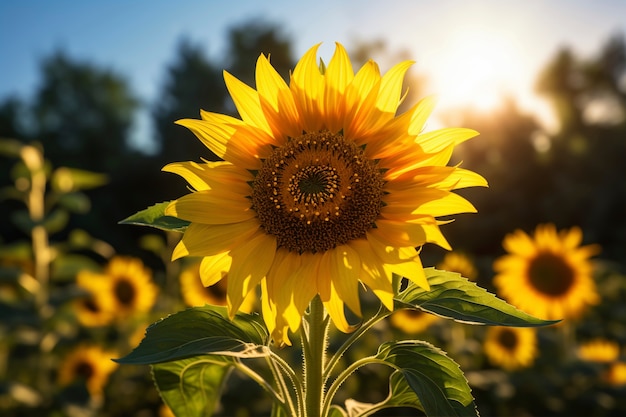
pixel 192 387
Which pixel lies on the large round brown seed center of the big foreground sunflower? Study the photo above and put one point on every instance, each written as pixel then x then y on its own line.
pixel 316 192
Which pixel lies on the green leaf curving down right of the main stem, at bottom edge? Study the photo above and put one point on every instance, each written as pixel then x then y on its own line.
pixel 437 380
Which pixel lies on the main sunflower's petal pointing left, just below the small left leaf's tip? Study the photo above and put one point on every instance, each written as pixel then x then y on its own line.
pixel 206 240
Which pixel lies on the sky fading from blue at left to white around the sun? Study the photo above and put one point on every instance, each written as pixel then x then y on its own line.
pixel 471 50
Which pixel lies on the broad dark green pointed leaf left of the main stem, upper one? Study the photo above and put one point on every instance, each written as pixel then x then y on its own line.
pixel 198 331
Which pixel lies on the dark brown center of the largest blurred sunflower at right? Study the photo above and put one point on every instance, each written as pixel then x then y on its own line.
pixel 550 274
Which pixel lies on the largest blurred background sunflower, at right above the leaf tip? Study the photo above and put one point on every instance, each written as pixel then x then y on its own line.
pixel 548 275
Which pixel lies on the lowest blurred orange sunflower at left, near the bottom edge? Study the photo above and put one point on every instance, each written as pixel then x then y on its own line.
pixel 89 364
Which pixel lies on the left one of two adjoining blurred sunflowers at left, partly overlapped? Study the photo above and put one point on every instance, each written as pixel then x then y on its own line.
pixel 94 309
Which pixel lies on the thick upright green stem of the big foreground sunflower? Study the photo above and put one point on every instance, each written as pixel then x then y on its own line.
pixel 314 351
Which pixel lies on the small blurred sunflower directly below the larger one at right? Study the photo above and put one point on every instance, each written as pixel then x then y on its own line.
pixel 511 348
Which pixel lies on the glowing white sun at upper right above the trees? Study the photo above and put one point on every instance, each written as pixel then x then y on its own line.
pixel 476 69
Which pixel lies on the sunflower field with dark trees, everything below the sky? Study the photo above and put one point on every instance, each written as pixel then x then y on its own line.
pixel 314 217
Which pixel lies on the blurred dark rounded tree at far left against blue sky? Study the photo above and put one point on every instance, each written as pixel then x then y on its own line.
pixel 83 114
